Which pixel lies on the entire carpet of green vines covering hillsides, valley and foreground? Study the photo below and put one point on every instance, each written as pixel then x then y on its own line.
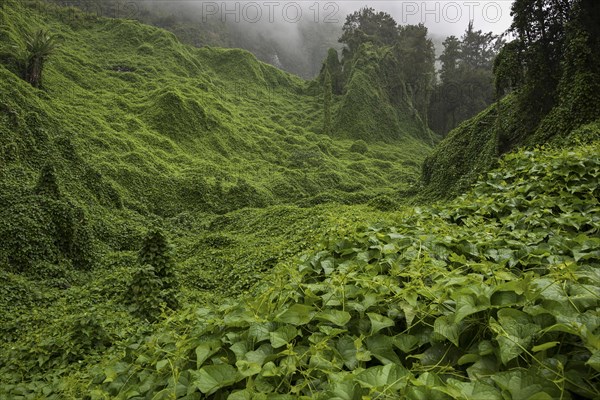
pixel 192 223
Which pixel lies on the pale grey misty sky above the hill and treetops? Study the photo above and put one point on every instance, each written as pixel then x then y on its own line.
pixel 295 35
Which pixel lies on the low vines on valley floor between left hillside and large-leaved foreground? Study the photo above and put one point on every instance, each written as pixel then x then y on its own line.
pixel 58 320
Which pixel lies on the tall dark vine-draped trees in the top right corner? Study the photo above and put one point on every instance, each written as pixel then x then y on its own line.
pixel 552 65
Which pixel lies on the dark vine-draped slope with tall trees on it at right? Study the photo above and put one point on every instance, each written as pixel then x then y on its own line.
pixel 551 77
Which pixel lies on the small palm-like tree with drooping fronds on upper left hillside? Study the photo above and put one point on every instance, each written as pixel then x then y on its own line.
pixel 38 47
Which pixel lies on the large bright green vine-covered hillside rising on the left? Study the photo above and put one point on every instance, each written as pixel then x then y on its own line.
pixel 131 123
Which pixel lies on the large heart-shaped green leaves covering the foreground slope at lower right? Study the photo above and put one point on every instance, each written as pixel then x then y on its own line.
pixel 490 296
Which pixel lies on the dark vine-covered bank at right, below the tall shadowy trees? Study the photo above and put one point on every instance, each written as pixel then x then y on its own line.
pixel 474 147
